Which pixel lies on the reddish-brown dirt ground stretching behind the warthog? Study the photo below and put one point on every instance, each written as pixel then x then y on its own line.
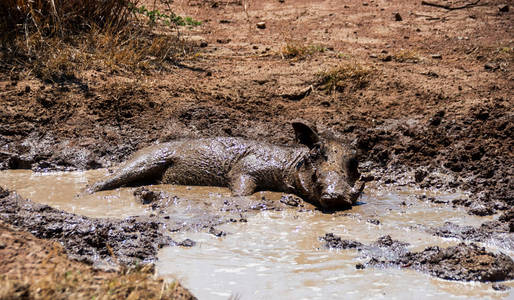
pixel 424 93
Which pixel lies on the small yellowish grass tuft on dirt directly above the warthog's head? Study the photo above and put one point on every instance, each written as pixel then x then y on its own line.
pixel 346 76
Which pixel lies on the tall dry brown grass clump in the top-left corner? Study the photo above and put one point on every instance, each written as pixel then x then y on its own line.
pixel 57 42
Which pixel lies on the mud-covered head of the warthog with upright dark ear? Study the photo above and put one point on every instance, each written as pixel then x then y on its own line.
pixel 328 171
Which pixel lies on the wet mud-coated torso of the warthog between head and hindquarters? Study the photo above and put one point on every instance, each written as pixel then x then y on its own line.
pixel 213 161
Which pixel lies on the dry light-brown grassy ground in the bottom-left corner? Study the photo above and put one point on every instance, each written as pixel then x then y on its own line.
pixel 32 268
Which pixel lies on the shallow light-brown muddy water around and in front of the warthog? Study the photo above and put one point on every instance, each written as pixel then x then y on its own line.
pixel 277 254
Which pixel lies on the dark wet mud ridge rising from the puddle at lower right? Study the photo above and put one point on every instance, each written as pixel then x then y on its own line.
pixel 463 262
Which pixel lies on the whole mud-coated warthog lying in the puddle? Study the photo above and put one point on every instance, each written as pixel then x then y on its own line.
pixel 321 171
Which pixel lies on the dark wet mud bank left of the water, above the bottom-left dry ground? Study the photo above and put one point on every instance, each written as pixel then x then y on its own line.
pixel 103 242
